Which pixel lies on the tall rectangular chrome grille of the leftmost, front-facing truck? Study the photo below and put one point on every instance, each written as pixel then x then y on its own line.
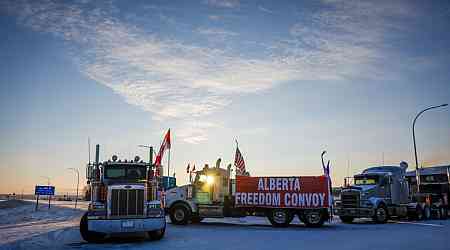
pixel 127 202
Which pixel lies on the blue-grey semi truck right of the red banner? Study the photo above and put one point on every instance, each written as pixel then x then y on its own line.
pixel 379 193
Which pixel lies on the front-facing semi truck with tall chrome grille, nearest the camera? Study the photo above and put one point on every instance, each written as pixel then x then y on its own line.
pixel 125 197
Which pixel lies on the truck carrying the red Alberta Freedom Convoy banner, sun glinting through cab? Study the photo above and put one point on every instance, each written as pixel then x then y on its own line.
pixel 213 194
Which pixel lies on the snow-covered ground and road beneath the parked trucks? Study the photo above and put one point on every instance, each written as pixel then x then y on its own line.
pixel 23 228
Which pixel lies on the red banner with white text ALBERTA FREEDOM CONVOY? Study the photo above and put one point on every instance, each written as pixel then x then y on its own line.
pixel 287 192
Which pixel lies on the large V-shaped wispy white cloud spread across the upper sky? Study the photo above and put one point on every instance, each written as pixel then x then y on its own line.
pixel 177 80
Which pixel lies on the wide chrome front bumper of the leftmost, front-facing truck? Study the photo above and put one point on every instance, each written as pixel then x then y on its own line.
pixel 126 225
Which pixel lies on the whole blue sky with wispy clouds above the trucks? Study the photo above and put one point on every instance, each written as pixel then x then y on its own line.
pixel 287 79
